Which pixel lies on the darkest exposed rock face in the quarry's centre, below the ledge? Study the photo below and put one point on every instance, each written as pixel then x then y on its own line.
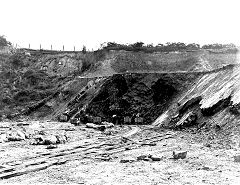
pixel 131 94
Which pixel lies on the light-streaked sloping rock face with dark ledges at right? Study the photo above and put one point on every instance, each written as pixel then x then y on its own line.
pixel 213 98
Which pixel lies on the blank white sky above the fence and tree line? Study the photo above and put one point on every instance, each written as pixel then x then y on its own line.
pixel 92 22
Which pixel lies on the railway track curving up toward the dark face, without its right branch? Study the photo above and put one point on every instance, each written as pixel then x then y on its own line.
pixel 46 159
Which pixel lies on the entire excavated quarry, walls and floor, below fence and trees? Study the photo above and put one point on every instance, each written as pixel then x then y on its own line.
pixel 120 117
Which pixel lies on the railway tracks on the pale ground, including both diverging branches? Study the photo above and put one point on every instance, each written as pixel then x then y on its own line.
pixel 96 149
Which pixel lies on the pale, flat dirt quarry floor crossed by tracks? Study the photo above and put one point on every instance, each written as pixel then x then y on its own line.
pixel 110 157
